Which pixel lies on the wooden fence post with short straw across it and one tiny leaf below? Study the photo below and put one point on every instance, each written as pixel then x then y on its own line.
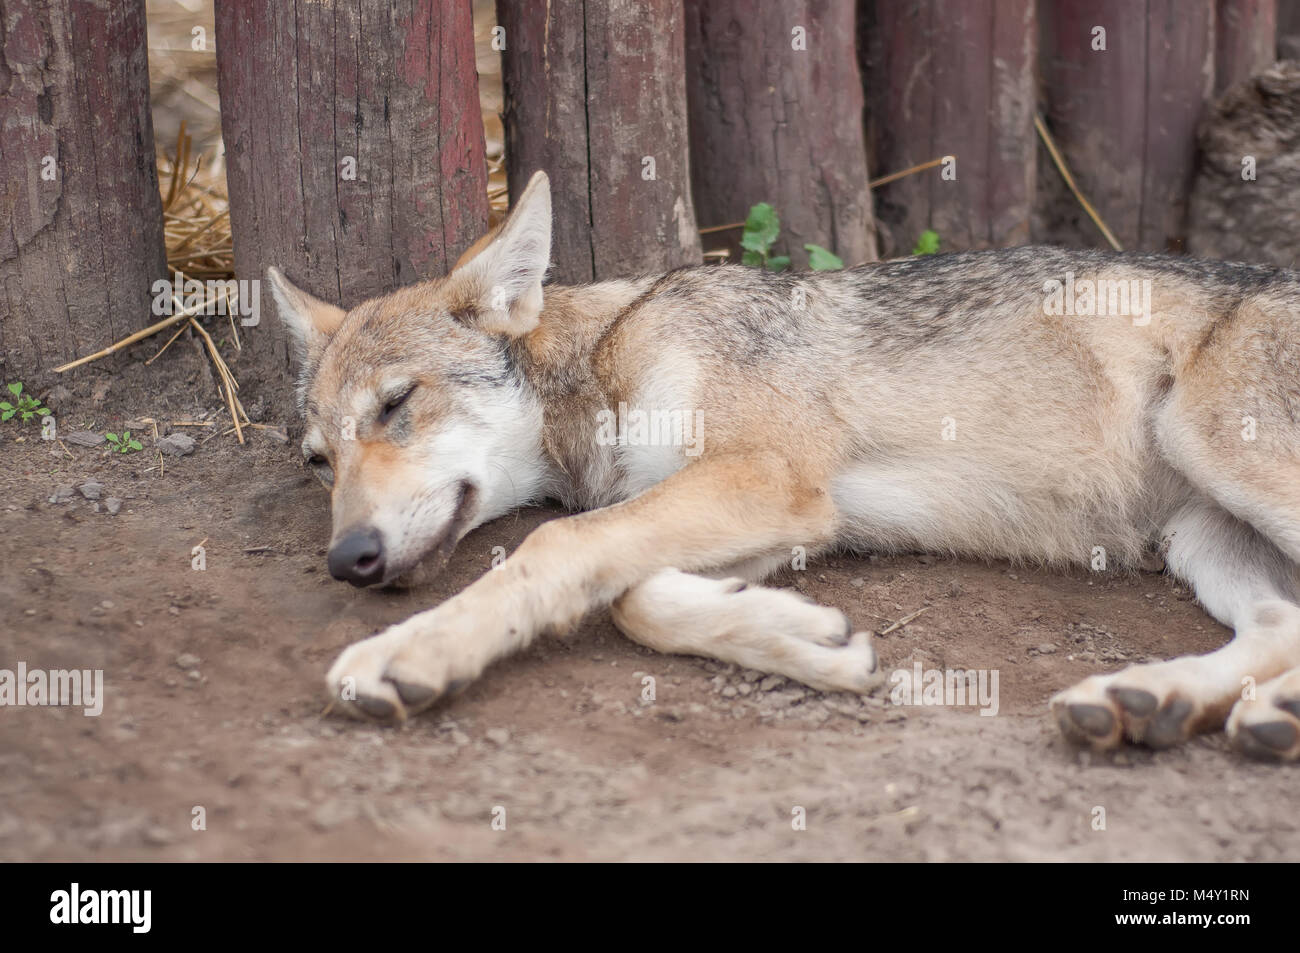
pixel 952 79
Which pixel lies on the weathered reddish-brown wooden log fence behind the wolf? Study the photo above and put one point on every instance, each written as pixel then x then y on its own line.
pixel 356 145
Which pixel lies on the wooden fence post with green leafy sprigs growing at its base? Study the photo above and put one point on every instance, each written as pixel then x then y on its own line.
pixel 777 116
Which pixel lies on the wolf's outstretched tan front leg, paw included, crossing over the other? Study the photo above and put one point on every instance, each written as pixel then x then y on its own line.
pixel 717 512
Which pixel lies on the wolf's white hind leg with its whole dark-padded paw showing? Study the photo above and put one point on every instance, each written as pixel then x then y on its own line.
pixel 1245 582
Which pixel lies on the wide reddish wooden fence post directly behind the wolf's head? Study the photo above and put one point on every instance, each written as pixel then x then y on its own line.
pixel 354 144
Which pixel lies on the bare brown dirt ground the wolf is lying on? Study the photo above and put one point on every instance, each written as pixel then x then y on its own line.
pixel 214 694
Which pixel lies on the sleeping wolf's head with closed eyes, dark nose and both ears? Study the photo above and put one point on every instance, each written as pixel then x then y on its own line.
pixel 417 421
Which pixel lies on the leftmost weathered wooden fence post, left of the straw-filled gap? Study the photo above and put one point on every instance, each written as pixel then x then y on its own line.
pixel 79 183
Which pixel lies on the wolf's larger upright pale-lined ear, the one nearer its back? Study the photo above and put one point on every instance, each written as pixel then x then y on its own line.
pixel 500 279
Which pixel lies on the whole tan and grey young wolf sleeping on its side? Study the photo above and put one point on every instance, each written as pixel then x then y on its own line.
pixel 1028 405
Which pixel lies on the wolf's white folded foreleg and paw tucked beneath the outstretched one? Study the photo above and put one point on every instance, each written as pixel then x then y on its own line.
pixel 770 630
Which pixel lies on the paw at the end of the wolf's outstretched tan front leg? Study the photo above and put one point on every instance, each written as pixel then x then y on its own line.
pixel 396 674
